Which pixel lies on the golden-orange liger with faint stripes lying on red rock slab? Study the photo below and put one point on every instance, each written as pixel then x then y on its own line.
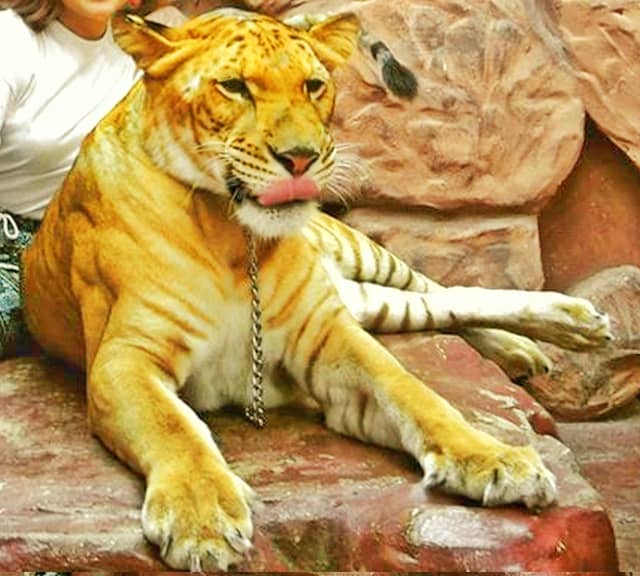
pixel 141 258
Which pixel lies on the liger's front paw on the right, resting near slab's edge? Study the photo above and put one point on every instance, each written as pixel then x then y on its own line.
pixel 500 475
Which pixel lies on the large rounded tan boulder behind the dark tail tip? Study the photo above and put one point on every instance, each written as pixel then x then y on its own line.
pixel 497 120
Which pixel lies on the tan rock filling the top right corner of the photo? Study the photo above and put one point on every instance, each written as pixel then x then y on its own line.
pixel 603 39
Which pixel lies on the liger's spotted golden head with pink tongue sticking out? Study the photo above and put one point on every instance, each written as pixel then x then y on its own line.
pixel 246 103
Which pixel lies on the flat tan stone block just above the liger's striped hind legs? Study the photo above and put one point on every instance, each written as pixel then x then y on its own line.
pixel 491 251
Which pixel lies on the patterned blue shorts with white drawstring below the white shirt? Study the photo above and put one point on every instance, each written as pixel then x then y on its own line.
pixel 13 332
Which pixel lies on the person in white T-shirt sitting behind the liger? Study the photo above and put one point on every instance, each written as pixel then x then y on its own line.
pixel 60 73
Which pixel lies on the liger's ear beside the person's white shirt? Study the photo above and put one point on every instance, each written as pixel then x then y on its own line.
pixel 156 48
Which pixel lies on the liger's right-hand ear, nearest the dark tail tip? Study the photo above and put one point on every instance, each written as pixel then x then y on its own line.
pixel 335 39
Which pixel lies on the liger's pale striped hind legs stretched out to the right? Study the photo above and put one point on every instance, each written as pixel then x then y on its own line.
pixel 386 295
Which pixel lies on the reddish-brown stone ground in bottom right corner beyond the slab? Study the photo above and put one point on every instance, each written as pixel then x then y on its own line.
pixel 609 456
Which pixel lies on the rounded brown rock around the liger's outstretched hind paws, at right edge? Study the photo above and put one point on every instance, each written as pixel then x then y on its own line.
pixel 587 386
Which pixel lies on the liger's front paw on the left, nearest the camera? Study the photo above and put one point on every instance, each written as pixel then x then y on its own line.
pixel 200 519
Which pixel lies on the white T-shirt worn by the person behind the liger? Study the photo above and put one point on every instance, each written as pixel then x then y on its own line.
pixel 54 88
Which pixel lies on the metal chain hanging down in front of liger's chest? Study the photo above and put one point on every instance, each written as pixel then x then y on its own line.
pixel 255 411
